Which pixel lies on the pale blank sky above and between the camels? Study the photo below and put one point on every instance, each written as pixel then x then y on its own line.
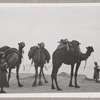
pixel 49 24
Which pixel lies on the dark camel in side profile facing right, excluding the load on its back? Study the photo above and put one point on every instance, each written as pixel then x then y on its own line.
pixel 61 56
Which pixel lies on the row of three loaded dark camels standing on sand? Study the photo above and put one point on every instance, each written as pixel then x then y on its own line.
pixel 67 52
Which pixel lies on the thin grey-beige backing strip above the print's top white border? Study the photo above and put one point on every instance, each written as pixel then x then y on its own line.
pixel 49 1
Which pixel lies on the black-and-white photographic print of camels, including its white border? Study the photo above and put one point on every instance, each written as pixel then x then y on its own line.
pixel 49 48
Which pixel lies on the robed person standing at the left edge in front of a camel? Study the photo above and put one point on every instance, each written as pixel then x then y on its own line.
pixel 3 77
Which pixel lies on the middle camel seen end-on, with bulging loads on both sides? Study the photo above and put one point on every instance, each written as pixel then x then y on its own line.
pixel 39 58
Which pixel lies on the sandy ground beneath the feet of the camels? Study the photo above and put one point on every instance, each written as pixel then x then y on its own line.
pixel 86 85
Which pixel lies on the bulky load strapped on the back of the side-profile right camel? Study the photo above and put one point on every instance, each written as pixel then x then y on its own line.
pixel 72 47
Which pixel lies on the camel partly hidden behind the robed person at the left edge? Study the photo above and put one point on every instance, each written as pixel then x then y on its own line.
pixel 13 58
